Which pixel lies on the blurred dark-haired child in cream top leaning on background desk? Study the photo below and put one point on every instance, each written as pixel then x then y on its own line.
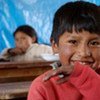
pixel 27 48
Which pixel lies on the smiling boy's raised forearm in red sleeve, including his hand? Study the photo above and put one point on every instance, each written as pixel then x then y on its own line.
pixel 82 77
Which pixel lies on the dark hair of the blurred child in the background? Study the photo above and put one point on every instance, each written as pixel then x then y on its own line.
pixel 28 30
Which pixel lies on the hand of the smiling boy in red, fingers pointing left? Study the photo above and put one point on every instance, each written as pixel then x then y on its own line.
pixel 63 73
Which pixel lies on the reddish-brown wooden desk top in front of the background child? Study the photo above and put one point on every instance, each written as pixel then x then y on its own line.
pixel 25 64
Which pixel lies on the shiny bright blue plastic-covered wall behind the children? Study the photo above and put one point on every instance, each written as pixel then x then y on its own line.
pixel 37 13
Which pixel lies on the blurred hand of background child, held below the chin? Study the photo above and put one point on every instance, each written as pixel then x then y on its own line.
pixel 15 51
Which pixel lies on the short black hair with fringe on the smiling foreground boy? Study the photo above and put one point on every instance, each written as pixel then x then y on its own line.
pixel 78 16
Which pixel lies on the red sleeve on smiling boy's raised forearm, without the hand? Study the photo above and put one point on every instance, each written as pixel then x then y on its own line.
pixel 87 82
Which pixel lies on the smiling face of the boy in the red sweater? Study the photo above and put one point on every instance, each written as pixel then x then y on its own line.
pixel 83 47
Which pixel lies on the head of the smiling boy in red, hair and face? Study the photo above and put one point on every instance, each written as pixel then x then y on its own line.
pixel 76 33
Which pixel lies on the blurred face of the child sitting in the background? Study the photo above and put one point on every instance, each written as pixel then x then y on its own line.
pixel 23 41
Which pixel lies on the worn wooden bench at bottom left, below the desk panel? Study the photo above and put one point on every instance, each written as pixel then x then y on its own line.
pixel 14 90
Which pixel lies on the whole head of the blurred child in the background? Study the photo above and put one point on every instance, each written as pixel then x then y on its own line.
pixel 24 36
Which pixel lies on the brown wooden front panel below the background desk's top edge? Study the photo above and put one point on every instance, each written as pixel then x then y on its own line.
pixel 21 74
